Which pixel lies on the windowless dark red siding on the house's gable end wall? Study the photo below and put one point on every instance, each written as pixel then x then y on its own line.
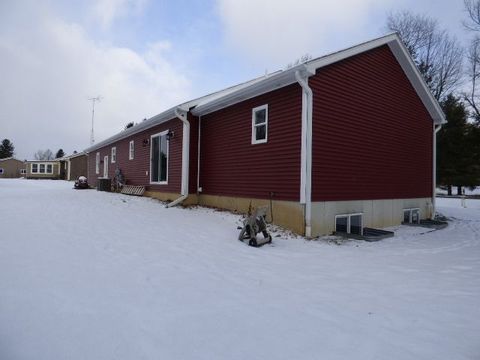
pixel 372 136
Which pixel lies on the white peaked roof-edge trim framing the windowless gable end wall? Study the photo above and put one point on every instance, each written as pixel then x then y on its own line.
pixel 404 59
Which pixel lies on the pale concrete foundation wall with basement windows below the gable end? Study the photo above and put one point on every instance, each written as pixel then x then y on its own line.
pixel 376 213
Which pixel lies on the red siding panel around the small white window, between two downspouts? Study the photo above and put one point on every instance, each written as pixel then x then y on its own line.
pixel 231 165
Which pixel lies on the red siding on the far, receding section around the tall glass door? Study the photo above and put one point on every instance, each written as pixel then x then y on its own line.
pixel 137 171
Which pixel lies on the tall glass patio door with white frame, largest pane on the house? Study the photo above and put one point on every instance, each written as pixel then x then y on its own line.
pixel 159 158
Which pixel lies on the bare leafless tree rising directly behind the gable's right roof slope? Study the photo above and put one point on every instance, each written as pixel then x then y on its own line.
pixel 437 54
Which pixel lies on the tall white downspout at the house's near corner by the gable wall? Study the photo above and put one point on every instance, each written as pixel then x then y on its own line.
pixel 306 156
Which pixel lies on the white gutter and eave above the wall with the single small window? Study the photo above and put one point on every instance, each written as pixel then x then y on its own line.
pixel 264 85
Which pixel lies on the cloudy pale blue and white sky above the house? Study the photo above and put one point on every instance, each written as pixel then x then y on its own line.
pixel 145 56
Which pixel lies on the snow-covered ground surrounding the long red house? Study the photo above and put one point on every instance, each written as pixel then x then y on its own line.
pixel 92 275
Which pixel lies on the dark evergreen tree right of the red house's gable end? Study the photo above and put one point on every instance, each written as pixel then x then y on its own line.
pixel 457 147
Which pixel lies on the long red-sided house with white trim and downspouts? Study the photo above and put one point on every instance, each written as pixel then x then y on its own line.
pixel 340 142
